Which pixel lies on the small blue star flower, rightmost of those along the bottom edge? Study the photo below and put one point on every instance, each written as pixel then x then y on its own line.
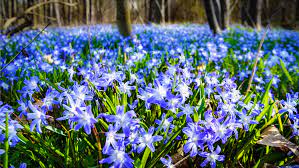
pixel 211 157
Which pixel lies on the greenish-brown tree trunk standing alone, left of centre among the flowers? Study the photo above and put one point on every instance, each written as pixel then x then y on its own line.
pixel 123 17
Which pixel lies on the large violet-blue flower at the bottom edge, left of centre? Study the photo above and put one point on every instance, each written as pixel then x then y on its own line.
pixel 118 157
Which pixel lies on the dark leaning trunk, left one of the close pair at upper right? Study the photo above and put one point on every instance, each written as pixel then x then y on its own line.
pixel 211 16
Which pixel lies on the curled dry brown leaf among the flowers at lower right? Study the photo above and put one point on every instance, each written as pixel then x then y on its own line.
pixel 272 137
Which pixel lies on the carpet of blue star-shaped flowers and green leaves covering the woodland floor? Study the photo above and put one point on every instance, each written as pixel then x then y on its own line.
pixel 170 96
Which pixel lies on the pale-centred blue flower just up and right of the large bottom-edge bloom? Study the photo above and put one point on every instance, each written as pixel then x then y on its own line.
pixel 147 139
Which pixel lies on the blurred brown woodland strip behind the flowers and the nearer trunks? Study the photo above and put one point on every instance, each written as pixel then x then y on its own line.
pixel 254 13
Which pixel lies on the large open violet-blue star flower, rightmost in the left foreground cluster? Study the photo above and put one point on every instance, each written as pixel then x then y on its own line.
pixel 84 118
